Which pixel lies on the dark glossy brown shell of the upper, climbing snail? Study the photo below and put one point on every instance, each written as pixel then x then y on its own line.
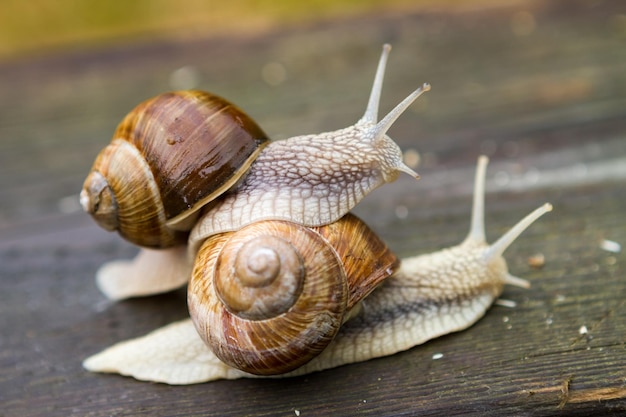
pixel 170 156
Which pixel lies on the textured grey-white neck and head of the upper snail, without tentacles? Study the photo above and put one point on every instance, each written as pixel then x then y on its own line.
pixel 331 172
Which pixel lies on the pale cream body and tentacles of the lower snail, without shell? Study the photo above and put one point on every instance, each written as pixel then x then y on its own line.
pixel 429 296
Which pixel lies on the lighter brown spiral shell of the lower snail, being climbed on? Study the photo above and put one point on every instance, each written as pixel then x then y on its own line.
pixel 271 296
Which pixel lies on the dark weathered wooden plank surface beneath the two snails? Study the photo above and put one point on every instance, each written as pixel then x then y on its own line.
pixel 541 88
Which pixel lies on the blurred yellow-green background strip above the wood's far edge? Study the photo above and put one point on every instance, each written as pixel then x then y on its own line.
pixel 35 25
